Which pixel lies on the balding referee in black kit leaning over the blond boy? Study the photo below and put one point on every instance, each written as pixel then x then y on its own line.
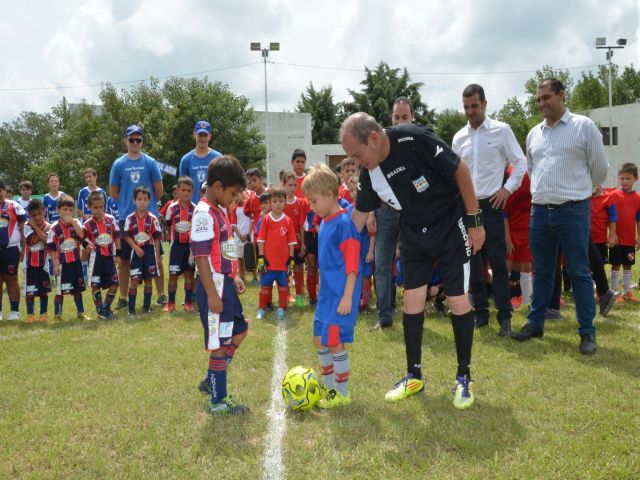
pixel 413 171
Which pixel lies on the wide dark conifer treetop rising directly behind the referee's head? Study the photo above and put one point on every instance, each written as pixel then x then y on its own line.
pixel 381 87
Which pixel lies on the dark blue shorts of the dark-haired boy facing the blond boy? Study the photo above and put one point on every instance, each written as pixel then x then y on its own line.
pixel 231 321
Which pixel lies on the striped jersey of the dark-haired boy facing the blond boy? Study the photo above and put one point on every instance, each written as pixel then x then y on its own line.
pixel 212 237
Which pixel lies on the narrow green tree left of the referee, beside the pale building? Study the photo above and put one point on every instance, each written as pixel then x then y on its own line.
pixel 324 112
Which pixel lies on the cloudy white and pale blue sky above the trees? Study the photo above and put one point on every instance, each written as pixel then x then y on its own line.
pixel 45 45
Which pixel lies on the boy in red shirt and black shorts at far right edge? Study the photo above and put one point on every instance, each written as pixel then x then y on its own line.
pixel 627 203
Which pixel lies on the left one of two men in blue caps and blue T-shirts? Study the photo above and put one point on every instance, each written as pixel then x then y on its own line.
pixel 132 170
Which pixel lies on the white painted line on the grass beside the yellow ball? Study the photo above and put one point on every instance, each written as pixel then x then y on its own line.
pixel 273 463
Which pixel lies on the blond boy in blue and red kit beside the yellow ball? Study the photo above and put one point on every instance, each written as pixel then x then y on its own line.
pixel 340 284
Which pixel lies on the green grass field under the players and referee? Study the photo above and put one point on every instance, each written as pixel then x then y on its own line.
pixel 119 399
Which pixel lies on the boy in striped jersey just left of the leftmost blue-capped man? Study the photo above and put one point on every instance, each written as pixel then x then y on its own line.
pixel 103 234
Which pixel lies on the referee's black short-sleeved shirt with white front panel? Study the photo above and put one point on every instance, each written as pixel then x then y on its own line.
pixel 417 177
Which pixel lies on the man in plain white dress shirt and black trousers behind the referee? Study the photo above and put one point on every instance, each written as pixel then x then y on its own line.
pixel 485 144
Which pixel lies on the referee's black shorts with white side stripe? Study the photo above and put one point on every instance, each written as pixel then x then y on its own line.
pixel 445 242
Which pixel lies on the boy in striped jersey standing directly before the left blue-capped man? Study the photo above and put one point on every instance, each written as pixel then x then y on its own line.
pixel 142 232
